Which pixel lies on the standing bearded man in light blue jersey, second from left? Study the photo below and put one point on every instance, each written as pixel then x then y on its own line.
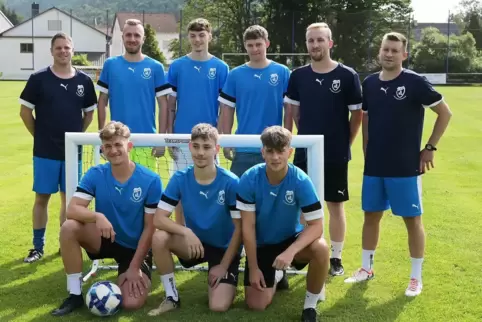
pixel 130 84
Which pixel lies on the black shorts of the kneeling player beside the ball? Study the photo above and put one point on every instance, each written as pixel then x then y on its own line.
pixel 122 255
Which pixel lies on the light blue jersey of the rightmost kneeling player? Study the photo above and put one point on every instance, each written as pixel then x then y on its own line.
pixel 278 208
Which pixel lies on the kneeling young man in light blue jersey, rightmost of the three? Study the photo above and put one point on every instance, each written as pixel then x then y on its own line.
pixel 271 197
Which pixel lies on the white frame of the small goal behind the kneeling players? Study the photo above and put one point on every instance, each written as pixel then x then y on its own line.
pixel 313 143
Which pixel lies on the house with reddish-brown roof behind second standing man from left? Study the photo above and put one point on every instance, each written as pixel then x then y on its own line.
pixel 164 24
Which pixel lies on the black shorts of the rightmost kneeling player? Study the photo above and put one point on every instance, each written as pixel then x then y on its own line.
pixel 266 255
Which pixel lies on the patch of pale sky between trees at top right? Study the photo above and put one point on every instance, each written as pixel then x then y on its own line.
pixel 433 10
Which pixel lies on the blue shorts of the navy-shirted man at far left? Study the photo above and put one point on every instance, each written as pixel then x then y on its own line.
pixel 49 175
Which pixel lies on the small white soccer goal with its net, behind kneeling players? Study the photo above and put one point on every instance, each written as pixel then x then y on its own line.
pixel 89 144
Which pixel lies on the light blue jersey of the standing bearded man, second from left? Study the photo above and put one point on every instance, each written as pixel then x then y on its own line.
pixel 132 88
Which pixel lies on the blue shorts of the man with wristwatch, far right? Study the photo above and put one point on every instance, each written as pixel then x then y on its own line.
pixel 402 195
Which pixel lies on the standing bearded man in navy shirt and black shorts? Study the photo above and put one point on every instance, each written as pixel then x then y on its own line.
pixel 323 95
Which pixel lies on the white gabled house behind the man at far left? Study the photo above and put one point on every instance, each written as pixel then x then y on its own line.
pixel 26 47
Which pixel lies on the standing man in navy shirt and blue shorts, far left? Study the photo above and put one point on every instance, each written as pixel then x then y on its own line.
pixel 64 100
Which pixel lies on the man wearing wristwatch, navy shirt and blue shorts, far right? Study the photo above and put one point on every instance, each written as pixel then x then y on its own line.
pixel 394 103
